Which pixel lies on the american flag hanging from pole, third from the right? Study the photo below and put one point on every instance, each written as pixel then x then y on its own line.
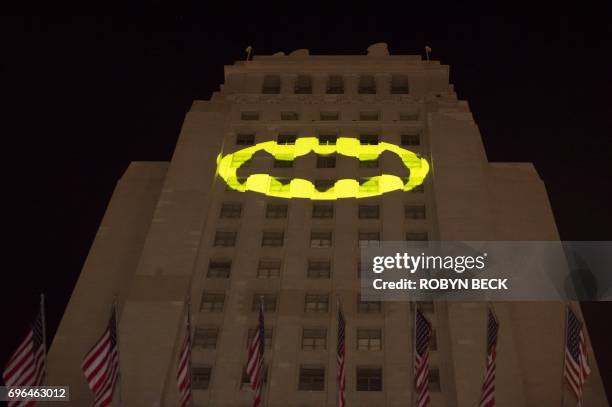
pixel 422 336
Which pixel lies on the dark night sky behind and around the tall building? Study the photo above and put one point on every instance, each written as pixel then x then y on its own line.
pixel 82 97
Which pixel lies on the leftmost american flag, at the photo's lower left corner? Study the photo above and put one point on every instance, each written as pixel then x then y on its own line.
pixel 27 366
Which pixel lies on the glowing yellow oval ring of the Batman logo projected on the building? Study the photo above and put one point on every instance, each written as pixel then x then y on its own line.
pixel 228 165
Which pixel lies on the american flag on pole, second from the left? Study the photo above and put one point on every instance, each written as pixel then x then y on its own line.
pixel 101 365
